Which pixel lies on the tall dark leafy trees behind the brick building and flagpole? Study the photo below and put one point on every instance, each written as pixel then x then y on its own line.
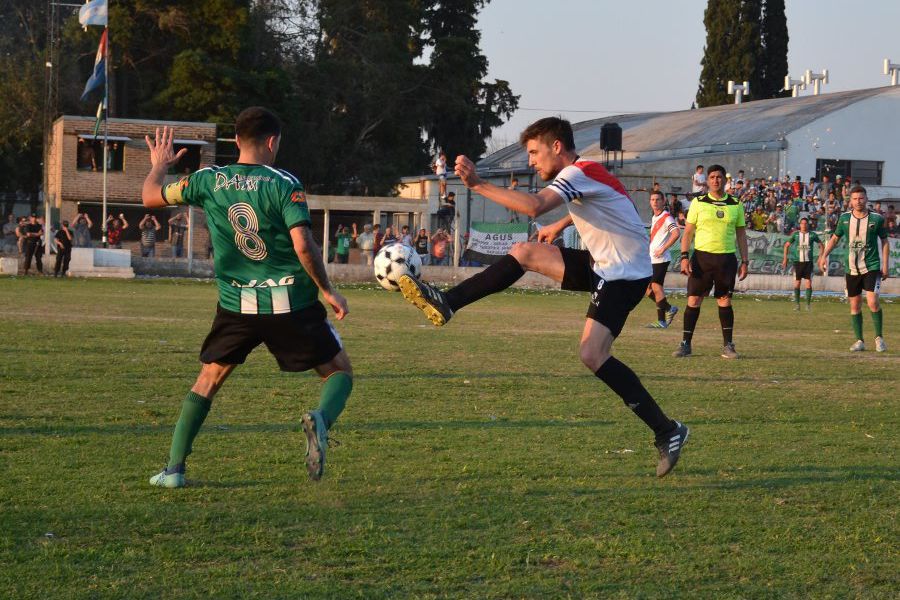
pixel 368 89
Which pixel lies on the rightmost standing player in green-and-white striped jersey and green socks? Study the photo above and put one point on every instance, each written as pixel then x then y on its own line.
pixel 867 262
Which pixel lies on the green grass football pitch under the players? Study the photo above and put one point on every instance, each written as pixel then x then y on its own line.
pixel 480 460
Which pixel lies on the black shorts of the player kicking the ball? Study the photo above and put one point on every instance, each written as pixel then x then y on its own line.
pixel 611 301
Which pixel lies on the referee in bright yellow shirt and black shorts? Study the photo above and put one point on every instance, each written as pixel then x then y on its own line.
pixel 716 219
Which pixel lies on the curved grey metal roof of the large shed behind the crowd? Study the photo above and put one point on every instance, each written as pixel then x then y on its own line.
pixel 762 121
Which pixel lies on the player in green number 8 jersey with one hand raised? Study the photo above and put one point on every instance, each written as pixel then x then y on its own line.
pixel 269 271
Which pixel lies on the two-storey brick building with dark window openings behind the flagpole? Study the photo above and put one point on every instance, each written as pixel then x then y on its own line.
pixel 75 172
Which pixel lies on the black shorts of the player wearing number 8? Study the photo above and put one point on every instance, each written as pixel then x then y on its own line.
pixel 299 340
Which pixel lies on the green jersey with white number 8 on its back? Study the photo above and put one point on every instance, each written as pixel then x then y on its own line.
pixel 250 210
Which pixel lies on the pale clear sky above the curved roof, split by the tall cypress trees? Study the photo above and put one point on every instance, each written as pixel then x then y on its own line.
pixel 590 58
